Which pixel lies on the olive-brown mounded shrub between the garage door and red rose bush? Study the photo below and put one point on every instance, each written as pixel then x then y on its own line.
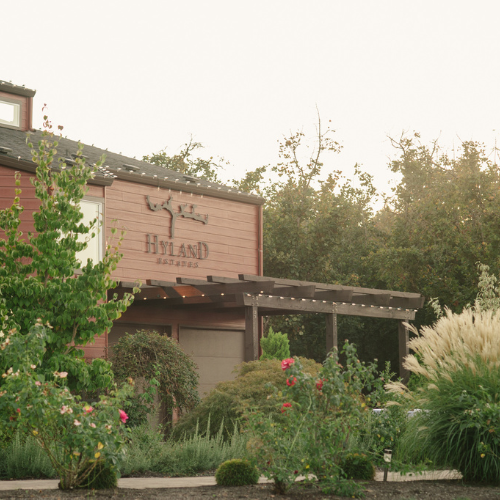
pixel 225 404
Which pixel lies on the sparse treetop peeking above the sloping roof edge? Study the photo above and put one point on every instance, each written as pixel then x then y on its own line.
pixel 185 162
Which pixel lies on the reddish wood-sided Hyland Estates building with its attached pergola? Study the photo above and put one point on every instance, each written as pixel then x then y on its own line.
pixel 195 246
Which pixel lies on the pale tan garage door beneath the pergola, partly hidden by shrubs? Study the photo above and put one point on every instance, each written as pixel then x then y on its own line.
pixel 216 352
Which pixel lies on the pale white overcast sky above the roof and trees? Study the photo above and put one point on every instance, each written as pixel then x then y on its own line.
pixel 135 77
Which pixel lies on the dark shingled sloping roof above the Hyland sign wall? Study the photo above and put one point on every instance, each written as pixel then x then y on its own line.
pixel 15 152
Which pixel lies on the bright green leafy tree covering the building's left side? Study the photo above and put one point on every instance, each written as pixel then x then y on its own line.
pixel 37 272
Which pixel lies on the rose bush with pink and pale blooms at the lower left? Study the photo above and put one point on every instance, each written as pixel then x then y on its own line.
pixel 75 436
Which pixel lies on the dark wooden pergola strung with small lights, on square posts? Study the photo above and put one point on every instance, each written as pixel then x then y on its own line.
pixel 258 296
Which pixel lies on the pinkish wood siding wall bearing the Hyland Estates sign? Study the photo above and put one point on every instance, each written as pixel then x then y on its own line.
pixel 231 233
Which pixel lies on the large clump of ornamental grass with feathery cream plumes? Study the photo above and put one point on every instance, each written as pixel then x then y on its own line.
pixel 458 358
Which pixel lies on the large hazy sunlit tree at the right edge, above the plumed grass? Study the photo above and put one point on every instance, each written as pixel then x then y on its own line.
pixel 441 221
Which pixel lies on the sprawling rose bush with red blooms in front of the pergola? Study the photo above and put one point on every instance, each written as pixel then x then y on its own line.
pixel 317 418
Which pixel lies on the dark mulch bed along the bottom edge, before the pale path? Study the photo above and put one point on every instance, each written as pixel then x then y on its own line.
pixel 429 490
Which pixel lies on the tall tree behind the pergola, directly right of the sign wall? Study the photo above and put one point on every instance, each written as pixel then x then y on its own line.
pixel 316 230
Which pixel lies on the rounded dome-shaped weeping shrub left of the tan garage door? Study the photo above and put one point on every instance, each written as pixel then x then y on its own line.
pixel 162 363
